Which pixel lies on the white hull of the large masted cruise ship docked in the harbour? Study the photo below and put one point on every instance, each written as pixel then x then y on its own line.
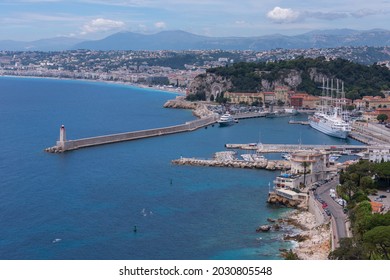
pixel 330 124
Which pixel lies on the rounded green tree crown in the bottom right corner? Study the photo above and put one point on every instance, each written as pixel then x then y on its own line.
pixel 378 241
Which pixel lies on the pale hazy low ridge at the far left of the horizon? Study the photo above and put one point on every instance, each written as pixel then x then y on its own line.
pixel 51 44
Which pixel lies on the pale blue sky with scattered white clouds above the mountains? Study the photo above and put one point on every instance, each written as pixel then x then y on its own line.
pixel 27 20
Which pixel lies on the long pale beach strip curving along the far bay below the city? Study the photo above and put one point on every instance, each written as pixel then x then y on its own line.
pixel 180 92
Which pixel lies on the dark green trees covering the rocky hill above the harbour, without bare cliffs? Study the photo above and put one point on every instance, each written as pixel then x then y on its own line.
pixel 360 80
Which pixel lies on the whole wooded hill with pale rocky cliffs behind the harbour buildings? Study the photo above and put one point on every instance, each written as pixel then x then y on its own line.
pixel 302 74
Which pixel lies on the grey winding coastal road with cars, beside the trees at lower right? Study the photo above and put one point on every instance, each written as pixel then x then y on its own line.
pixel 335 209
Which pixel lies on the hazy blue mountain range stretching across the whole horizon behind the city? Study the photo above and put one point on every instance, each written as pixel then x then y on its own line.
pixel 181 40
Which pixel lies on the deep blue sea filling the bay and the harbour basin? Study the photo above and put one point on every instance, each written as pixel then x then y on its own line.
pixel 86 204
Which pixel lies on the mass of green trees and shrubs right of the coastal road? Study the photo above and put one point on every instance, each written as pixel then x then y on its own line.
pixel 371 232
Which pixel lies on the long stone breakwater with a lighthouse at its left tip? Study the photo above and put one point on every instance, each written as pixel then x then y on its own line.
pixel 67 145
